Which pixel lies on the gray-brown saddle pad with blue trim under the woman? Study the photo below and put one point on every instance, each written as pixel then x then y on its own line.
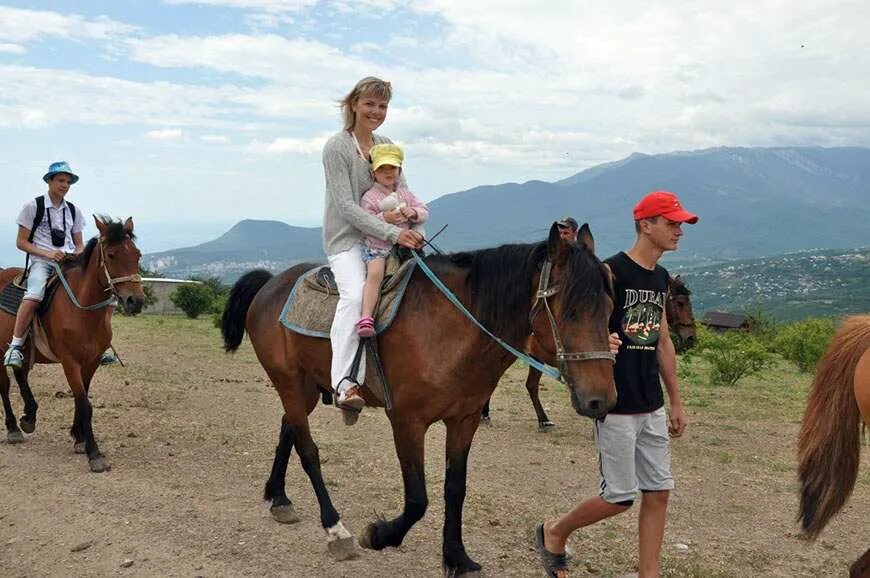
pixel 309 308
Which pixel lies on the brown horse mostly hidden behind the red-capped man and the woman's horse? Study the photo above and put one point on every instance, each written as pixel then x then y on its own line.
pixel 681 319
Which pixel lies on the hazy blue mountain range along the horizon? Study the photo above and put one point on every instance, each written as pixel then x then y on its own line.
pixel 752 202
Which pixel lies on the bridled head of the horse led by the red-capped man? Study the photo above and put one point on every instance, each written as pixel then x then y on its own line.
pixel 575 292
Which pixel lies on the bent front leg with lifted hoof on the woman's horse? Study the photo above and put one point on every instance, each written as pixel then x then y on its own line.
pixel 409 440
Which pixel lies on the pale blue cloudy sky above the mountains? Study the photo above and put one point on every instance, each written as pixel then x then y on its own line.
pixel 190 115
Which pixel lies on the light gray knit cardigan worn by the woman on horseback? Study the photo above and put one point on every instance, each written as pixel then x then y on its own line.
pixel 348 177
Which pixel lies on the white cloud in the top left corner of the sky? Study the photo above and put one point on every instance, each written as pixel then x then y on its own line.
pixel 20 25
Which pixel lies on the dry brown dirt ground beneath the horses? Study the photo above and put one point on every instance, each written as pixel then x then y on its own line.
pixel 190 433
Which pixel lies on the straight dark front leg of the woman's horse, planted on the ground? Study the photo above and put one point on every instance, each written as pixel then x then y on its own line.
pixel 460 432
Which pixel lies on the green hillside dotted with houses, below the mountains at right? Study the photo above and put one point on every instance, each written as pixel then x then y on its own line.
pixel 790 287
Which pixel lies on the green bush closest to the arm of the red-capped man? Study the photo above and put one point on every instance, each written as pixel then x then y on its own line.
pixel 732 355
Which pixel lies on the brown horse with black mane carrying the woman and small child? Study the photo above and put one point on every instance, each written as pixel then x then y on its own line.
pixel 439 365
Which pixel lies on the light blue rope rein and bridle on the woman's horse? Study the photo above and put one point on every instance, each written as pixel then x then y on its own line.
pixel 542 367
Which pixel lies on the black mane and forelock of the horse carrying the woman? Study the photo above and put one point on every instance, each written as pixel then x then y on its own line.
pixel 499 283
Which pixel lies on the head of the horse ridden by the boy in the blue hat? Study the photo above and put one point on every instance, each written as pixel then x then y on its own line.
pixel 119 258
